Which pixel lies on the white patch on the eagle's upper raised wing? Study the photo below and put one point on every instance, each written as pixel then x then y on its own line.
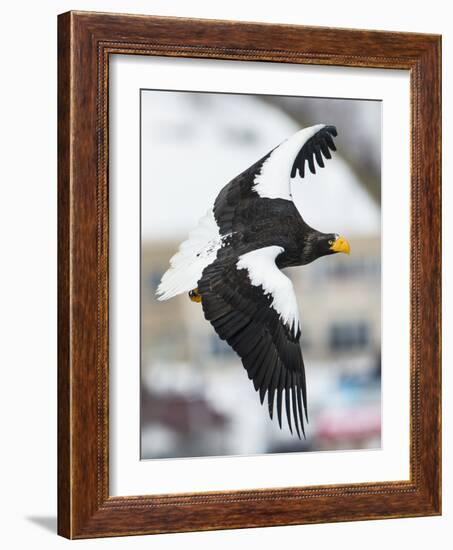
pixel 273 182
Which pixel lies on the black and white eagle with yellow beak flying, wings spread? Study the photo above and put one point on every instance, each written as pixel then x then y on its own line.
pixel 231 263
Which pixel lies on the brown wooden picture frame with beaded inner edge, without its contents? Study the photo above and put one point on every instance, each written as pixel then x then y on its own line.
pixel 85 42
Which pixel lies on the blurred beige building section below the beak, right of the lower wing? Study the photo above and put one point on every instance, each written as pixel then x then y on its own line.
pixel 340 302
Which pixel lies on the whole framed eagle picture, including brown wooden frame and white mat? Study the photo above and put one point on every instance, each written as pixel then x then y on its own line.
pixel 249 275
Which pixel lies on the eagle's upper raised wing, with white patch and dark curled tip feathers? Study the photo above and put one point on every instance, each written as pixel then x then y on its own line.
pixel 270 177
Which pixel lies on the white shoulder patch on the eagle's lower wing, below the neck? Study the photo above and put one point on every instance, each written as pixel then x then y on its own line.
pixel 263 271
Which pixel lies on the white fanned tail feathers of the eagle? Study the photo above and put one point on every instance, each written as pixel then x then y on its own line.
pixel 193 255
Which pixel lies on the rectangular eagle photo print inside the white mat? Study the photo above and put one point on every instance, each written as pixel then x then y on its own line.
pixel 260 274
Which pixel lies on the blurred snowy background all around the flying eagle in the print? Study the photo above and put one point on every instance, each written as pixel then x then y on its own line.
pixel 196 399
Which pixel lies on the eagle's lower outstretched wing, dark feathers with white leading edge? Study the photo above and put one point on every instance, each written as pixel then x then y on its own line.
pixel 252 305
